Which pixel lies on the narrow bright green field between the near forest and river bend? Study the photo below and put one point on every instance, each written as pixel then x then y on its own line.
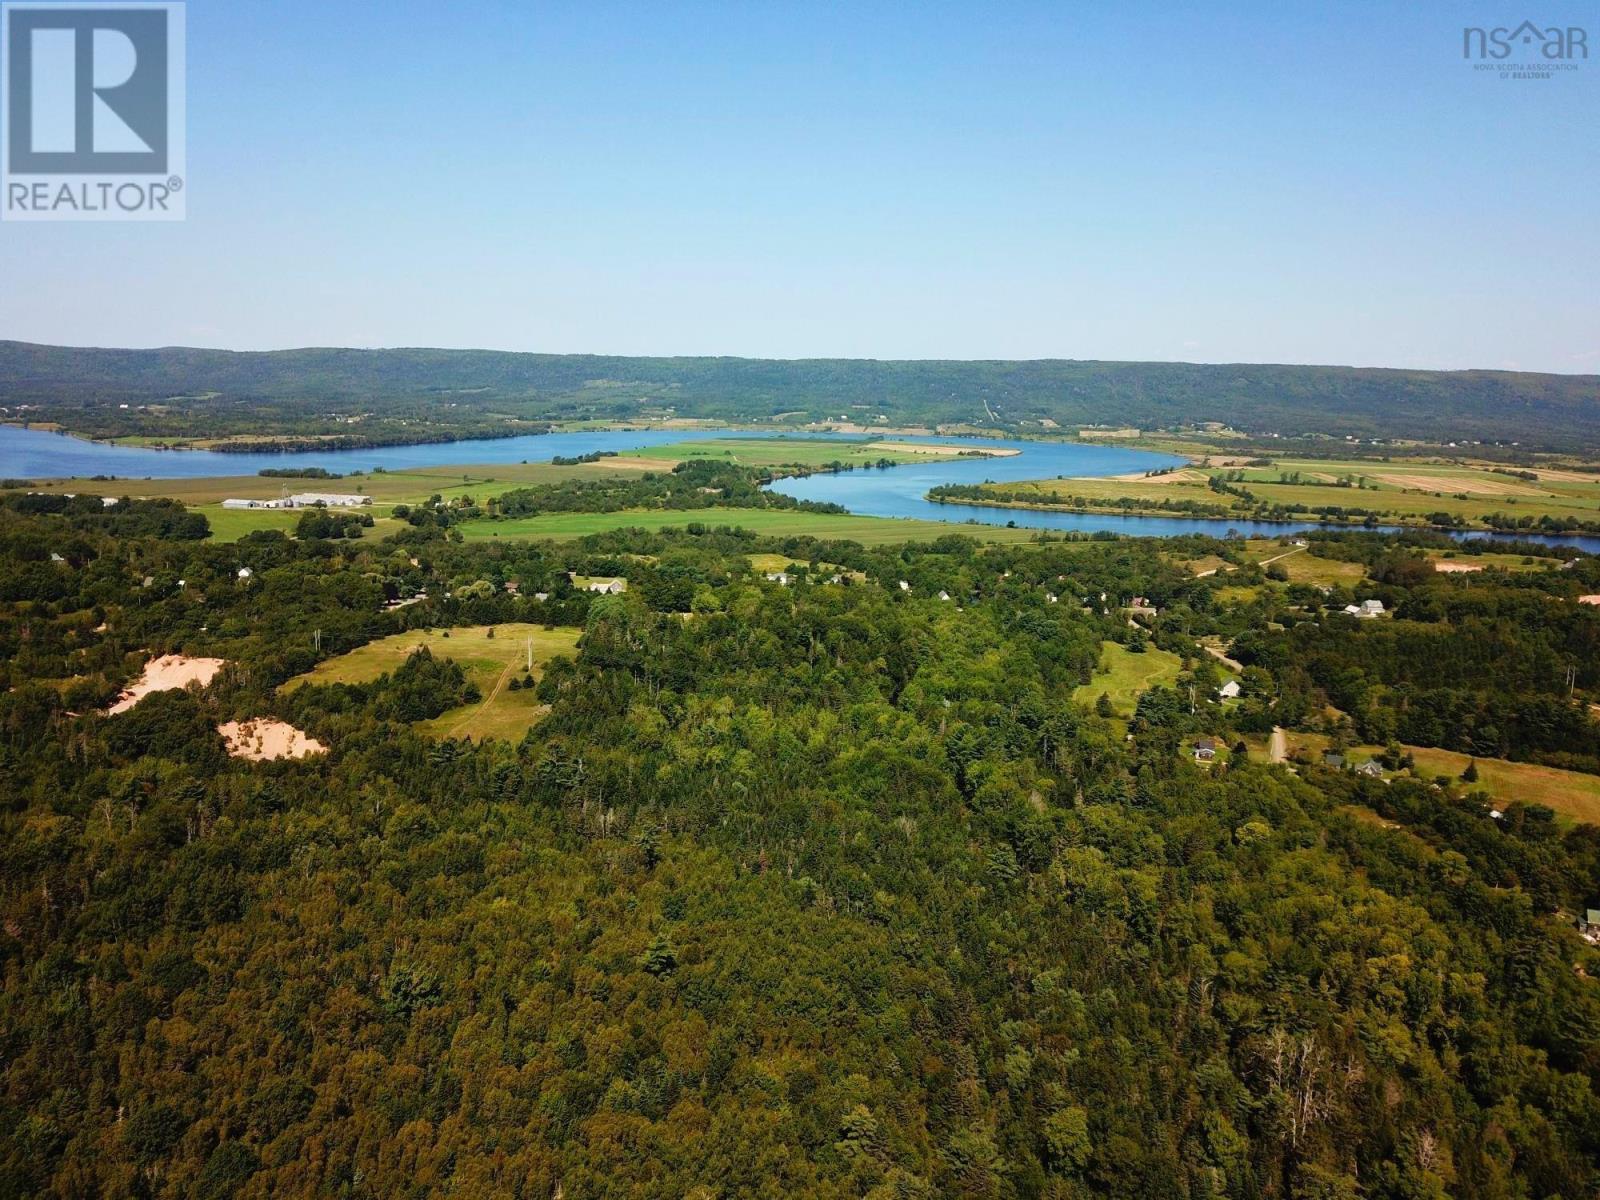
pixel 767 522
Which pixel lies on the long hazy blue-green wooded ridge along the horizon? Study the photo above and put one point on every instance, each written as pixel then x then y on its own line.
pixel 417 394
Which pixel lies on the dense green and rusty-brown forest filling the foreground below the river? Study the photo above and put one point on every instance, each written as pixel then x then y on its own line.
pixel 812 890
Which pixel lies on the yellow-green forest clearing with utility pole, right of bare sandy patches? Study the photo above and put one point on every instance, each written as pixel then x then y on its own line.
pixel 490 662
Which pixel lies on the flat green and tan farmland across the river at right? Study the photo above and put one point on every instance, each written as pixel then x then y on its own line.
pixel 1409 490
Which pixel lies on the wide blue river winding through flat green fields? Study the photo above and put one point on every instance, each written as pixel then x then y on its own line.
pixel 898 492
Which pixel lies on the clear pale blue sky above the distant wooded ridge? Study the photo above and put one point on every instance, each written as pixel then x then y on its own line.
pixel 1322 183
